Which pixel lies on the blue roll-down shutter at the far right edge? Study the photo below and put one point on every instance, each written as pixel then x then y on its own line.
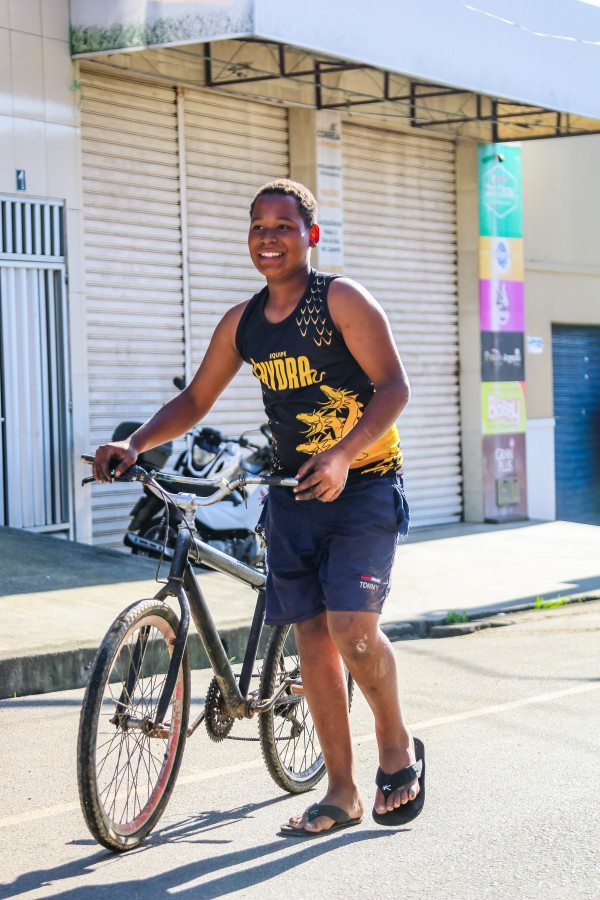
pixel 576 374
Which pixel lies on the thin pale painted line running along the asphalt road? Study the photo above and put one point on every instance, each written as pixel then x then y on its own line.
pixel 46 812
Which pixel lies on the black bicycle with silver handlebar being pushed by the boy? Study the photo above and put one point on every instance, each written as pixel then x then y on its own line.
pixel 135 714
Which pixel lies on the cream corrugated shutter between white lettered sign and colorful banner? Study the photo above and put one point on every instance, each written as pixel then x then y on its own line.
pixel 400 242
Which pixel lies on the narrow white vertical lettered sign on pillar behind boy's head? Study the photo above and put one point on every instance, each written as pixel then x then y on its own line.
pixel 330 190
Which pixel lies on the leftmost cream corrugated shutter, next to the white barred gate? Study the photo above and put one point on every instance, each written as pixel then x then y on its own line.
pixel 133 259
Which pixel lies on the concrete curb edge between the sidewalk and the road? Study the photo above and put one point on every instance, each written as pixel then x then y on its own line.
pixel 63 670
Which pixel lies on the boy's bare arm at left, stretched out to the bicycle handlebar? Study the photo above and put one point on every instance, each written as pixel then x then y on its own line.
pixel 220 364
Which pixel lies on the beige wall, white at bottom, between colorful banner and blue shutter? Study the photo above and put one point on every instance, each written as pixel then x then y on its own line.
pixel 561 219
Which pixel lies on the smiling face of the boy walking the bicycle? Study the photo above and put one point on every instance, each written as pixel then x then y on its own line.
pixel 279 239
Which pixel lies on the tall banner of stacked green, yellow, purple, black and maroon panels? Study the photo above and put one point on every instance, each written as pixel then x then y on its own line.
pixel 502 326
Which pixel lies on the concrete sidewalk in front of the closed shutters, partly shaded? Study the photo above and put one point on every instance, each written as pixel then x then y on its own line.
pixel 58 598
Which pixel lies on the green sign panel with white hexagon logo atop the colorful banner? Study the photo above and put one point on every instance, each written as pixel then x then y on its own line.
pixel 500 201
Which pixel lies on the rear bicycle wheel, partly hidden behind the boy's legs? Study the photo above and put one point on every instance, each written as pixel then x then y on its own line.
pixel 288 738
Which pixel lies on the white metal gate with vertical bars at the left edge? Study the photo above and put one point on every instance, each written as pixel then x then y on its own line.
pixel 34 405
